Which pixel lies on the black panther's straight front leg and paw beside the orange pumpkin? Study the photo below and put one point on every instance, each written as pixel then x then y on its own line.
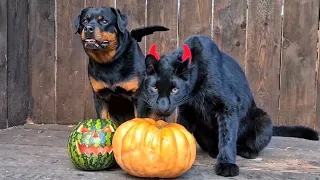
pixel 226 159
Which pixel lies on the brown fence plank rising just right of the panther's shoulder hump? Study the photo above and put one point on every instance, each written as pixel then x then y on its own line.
pixel 229 27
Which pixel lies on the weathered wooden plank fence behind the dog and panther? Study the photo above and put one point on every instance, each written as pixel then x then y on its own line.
pixel 43 75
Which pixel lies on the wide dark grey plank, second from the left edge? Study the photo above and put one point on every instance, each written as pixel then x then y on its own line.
pixel 19 91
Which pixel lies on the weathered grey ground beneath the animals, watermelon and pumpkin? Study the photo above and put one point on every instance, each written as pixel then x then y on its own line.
pixel 34 152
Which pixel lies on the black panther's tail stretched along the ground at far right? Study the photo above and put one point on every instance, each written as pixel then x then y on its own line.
pixel 296 131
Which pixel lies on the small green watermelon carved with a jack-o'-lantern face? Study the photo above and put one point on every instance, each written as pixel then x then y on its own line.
pixel 90 144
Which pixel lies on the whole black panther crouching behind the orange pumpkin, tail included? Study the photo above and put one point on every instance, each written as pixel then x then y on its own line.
pixel 215 101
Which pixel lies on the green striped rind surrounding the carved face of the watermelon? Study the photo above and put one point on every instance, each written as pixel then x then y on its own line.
pixel 92 163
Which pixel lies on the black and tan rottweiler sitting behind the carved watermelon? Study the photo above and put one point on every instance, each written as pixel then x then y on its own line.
pixel 116 61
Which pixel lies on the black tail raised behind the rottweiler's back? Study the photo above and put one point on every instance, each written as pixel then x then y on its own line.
pixel 138 33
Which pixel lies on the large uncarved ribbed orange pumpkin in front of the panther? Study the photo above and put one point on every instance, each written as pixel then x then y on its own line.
pixel 144 147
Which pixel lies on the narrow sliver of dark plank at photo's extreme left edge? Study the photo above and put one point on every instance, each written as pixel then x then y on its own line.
pixel 3 65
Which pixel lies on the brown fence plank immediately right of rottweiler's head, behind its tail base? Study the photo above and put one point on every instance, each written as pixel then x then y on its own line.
pixel 135 9
